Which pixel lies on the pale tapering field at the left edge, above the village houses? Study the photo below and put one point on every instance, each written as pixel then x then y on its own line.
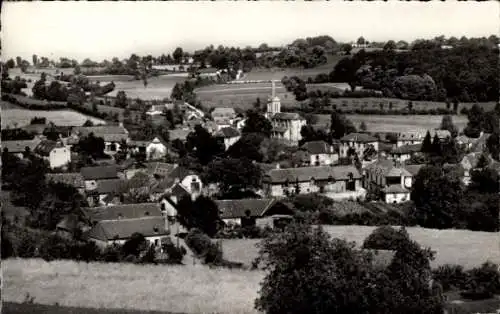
pixel 21 117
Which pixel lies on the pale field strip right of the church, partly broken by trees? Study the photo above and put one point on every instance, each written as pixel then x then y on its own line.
pixel 396 123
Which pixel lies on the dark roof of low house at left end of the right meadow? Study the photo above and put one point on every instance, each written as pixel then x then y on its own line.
pixel 237 208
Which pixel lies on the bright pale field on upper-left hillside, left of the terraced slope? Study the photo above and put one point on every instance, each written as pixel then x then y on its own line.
pixel 158 87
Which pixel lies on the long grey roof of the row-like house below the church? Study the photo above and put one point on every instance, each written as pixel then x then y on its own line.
pixel 303 174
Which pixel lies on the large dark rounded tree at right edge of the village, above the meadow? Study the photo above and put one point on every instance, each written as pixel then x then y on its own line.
pixel 437 197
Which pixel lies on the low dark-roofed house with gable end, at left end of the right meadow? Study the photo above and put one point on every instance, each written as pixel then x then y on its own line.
pixel 260 212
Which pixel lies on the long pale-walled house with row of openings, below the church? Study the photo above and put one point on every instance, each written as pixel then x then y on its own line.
pixel 337 182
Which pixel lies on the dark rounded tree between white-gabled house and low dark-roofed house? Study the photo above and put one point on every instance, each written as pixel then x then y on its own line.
pixel 201 214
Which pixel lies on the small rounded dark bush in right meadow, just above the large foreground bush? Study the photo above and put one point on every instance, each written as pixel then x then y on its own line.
pixel 386 238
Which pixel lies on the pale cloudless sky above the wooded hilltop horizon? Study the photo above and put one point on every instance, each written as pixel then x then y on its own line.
pixel 102 30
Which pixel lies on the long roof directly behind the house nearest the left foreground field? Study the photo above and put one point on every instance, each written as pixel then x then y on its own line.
pixel 125 211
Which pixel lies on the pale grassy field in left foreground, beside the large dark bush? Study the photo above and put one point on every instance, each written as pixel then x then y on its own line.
pixel 182 289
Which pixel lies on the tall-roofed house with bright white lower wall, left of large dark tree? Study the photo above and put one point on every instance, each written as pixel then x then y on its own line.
pixel 393 181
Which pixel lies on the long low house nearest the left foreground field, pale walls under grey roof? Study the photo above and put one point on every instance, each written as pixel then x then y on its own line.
pixel 108 232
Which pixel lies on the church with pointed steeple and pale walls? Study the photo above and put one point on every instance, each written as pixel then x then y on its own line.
pixel 286 125
